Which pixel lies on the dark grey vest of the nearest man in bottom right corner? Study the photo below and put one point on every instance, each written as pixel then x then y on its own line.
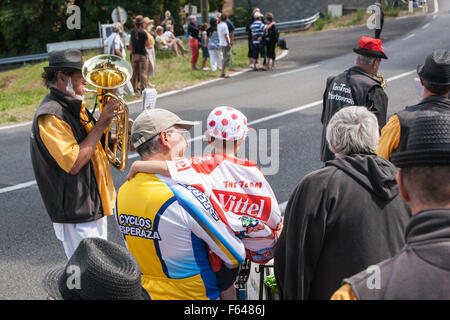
pixel 421 270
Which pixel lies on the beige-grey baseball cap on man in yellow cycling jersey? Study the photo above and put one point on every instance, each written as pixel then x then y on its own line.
pixel 151 122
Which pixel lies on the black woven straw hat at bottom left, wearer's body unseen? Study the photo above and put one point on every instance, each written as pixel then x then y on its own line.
pixel 98 270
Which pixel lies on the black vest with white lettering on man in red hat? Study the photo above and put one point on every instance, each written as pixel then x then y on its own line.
pixel 353 87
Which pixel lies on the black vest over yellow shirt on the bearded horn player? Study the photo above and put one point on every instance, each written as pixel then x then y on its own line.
pixel 68 198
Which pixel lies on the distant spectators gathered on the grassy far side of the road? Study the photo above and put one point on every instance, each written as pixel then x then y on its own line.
pixel 214 39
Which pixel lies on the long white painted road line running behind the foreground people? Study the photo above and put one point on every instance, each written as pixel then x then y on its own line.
pixel 273 116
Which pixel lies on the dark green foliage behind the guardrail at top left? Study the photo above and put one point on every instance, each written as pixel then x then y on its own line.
pixel 27 26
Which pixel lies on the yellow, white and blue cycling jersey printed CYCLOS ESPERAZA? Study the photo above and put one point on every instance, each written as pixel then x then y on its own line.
pixel 169 228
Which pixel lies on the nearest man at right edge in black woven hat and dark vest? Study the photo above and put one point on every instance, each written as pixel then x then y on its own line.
pixel 421 270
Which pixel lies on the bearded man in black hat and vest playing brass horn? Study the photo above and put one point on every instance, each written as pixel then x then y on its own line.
pixel 69 162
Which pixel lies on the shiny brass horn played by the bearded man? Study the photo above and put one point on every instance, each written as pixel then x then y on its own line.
pixel 107 72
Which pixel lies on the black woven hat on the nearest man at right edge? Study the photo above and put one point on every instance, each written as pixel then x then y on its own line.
pixel 428 142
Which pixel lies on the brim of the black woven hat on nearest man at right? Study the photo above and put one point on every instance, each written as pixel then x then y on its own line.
pixel 421 157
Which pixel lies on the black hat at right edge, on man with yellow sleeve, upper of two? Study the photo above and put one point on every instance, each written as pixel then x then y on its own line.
pixel 436 69
